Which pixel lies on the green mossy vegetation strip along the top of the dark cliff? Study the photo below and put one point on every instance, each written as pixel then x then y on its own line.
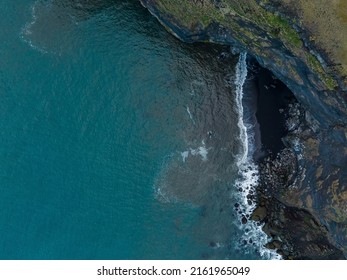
pixel 240 16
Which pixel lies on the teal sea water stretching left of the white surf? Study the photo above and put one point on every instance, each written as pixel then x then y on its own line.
pixel 117 141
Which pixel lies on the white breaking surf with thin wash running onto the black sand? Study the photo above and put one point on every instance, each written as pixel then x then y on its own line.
pixel 246 184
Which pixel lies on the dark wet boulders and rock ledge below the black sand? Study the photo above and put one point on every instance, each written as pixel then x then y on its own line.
pixel 296 233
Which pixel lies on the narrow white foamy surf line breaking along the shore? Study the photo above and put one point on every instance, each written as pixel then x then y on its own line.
pixel 253 237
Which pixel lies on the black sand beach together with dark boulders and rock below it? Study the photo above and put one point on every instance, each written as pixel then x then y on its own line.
pixel 292 230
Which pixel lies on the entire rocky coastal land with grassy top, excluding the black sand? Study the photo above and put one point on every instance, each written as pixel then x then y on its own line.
pixel 304 43
